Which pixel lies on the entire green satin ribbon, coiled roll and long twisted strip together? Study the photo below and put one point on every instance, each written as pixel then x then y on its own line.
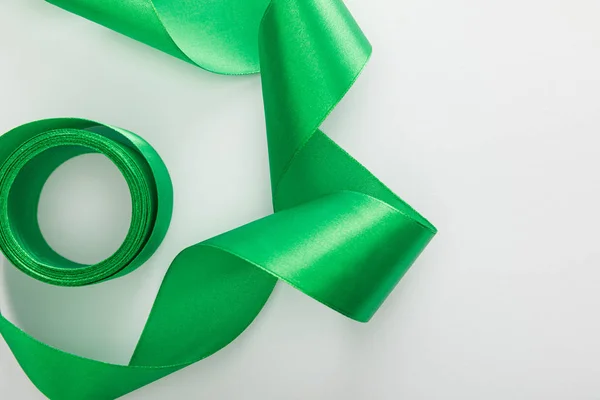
pixel 338 234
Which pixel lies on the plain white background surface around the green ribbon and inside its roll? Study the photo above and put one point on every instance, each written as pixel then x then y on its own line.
pixel 484 115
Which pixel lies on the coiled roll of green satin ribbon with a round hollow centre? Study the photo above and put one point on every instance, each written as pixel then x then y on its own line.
pixel 33 152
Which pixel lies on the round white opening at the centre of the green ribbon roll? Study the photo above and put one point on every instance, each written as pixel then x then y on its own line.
pixel 84 210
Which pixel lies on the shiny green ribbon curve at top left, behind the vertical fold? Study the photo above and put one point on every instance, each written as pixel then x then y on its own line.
pixel 218 35
